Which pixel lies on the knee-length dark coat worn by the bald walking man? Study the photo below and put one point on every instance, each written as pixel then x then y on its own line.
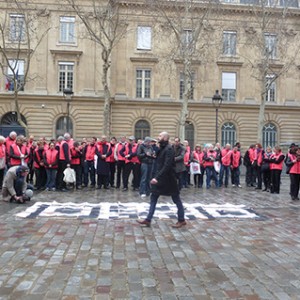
pixel 165 173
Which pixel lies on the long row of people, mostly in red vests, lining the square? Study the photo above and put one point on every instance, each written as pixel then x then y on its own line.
pixel 105 164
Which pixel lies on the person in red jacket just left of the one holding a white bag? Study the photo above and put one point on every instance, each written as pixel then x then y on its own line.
pixel 51 165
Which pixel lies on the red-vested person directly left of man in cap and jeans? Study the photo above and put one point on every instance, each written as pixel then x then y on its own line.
pixel 132 163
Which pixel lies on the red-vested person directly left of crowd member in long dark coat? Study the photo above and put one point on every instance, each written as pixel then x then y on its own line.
pixel 88 157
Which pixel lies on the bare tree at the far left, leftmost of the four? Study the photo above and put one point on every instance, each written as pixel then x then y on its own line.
pixel 20 36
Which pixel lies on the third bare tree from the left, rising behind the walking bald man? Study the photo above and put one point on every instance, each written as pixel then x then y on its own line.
pixel 186 22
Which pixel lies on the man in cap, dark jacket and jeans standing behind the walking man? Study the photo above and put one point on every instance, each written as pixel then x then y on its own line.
pixel 146 155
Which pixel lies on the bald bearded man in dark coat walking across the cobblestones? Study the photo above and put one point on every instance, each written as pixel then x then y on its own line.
pixel 164 181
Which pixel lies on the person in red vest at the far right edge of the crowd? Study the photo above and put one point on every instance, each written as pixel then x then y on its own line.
pixel 293 164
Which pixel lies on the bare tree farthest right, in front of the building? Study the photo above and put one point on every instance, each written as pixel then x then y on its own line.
pixel 276 46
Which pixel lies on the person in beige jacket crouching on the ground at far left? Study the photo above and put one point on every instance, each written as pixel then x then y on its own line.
pixel 15 187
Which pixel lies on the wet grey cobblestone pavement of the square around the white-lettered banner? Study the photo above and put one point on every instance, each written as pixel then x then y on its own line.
pixel 56 258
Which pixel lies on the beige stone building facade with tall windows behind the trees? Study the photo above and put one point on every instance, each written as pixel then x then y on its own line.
pixel 146 86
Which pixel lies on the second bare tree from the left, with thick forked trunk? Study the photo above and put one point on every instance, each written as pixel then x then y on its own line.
pixel 105 26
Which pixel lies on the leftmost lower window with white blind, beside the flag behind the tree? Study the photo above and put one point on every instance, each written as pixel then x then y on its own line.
pixel 15 71
